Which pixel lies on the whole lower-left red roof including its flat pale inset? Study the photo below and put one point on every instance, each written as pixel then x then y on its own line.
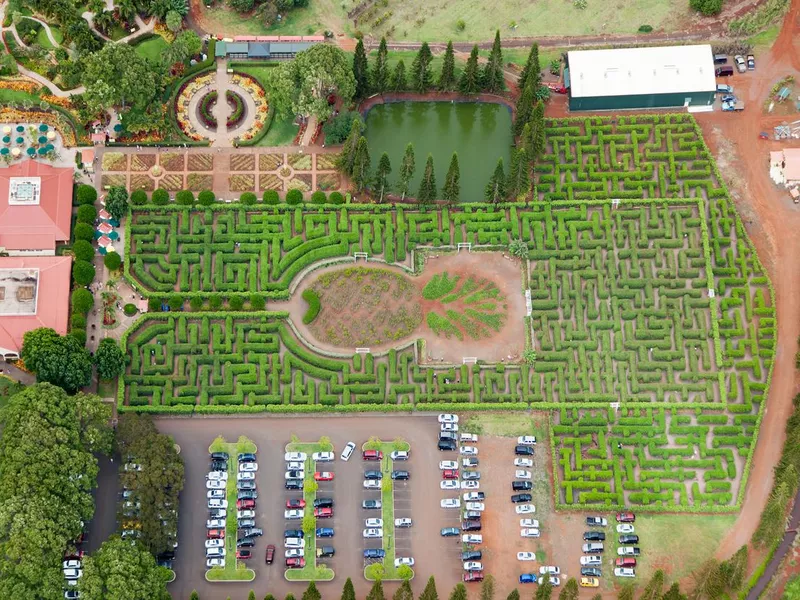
pixel 49 306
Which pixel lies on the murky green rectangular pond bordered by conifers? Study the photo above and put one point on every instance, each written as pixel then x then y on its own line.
pixel 479 131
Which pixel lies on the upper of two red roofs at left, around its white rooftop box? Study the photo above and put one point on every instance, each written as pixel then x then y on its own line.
pixel 36 227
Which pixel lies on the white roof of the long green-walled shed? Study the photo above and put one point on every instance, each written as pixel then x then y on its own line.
pixel 641 71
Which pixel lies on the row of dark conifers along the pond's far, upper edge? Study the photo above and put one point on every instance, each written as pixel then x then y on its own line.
pixel 472 80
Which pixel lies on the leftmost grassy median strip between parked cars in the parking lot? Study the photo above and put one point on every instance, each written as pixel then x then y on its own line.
pixel 235 570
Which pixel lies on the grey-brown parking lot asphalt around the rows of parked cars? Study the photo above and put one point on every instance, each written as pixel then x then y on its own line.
pixel 418 498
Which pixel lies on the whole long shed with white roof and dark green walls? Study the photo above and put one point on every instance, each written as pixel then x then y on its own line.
pixel 637 78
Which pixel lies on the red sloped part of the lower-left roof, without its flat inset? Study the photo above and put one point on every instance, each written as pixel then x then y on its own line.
pixel 52 305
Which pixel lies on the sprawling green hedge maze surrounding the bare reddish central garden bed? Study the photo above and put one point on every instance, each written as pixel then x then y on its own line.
pixel 652 319
